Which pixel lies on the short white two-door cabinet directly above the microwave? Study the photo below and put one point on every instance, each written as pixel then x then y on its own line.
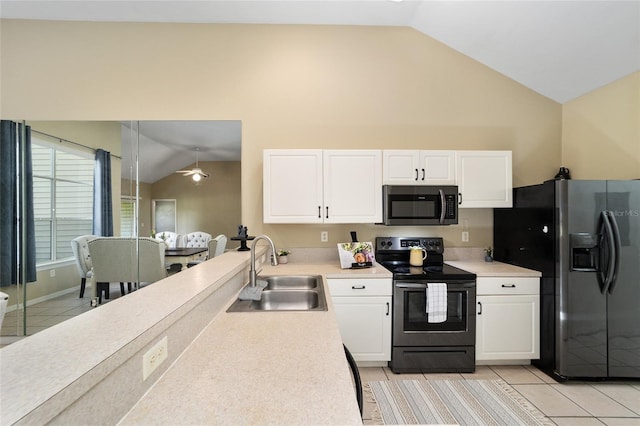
pixel 415 167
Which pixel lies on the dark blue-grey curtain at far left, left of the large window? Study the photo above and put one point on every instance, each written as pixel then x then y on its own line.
pixel 17 233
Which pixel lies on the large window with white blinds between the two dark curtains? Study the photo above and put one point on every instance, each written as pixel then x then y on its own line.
pixel 62 198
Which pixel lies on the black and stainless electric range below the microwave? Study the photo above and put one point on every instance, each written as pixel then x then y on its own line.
pixel 420 342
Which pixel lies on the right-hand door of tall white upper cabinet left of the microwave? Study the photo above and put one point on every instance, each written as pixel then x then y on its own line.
pixel 352 186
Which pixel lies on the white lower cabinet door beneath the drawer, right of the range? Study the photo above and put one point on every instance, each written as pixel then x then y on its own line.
pixel 507 327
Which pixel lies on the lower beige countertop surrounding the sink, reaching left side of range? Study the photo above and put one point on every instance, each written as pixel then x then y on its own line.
pixel 261 368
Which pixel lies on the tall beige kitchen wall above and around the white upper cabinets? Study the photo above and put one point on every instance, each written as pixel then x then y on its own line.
pixel 292 86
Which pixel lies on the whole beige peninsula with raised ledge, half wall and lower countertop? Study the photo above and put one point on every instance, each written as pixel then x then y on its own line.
pixel 231 368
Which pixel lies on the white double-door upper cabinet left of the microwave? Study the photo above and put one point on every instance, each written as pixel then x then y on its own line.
pixel 322 186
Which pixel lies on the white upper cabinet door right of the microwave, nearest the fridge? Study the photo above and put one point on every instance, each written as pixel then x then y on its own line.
pixel 484 178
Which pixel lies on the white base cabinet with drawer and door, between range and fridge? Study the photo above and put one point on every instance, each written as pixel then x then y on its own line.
pixel 507 318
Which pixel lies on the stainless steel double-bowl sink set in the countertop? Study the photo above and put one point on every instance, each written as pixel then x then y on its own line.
pixel 286 293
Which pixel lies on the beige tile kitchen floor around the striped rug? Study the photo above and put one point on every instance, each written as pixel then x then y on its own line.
pixel 566 404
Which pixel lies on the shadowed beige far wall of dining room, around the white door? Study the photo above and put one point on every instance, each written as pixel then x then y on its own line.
pixel 212 206
